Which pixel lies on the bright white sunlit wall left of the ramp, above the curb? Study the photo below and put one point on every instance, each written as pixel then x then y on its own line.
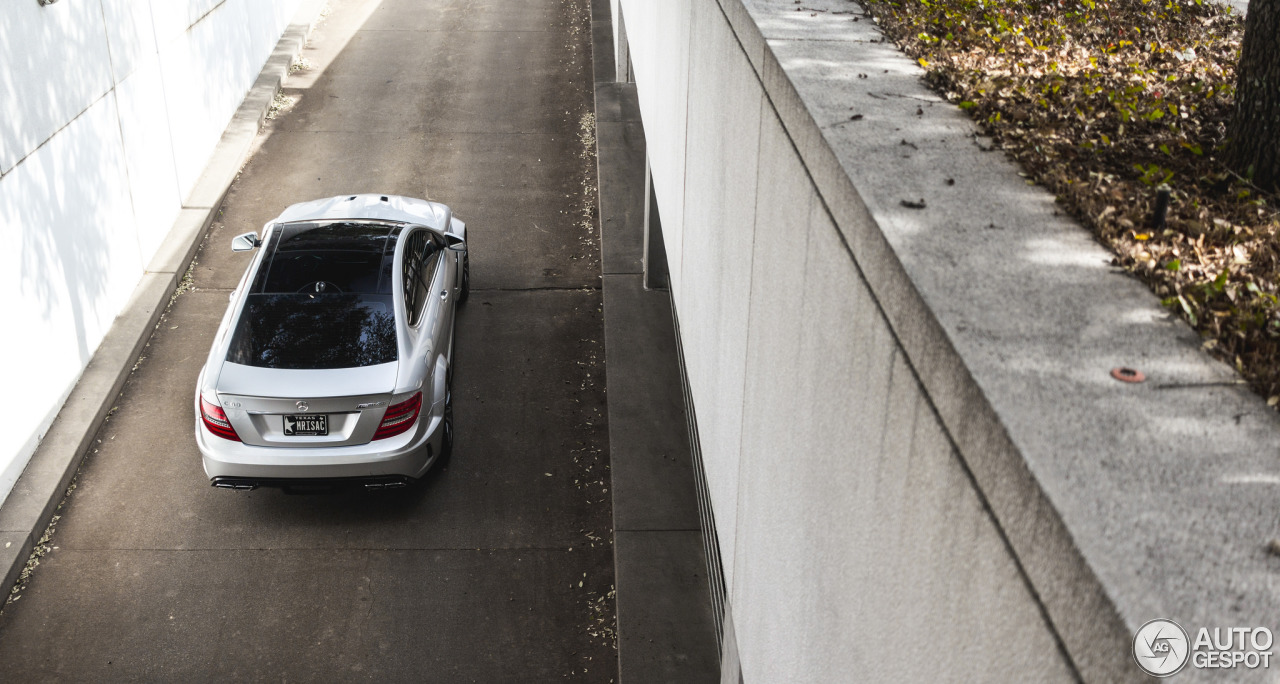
pixel 108 112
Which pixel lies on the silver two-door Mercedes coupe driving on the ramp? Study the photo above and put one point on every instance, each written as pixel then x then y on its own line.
pixel 333 361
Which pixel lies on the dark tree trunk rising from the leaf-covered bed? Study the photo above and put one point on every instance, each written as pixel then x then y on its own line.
pixel 1255 131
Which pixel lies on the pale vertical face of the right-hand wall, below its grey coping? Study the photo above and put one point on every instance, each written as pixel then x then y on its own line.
pixel 829 471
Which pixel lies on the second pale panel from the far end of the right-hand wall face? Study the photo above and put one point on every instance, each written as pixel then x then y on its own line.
pixel 723 151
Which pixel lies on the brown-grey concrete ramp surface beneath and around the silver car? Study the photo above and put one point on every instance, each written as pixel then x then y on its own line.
pixel 500 567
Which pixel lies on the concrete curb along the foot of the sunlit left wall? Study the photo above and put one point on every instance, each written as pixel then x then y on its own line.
pixel 39 493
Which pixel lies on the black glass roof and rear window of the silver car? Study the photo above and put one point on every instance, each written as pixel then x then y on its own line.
pixel 321 300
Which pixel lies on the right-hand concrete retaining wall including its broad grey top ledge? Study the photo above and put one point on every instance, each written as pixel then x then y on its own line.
pixel 920 466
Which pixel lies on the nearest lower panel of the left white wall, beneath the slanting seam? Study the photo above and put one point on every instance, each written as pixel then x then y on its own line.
pixel 72 263
